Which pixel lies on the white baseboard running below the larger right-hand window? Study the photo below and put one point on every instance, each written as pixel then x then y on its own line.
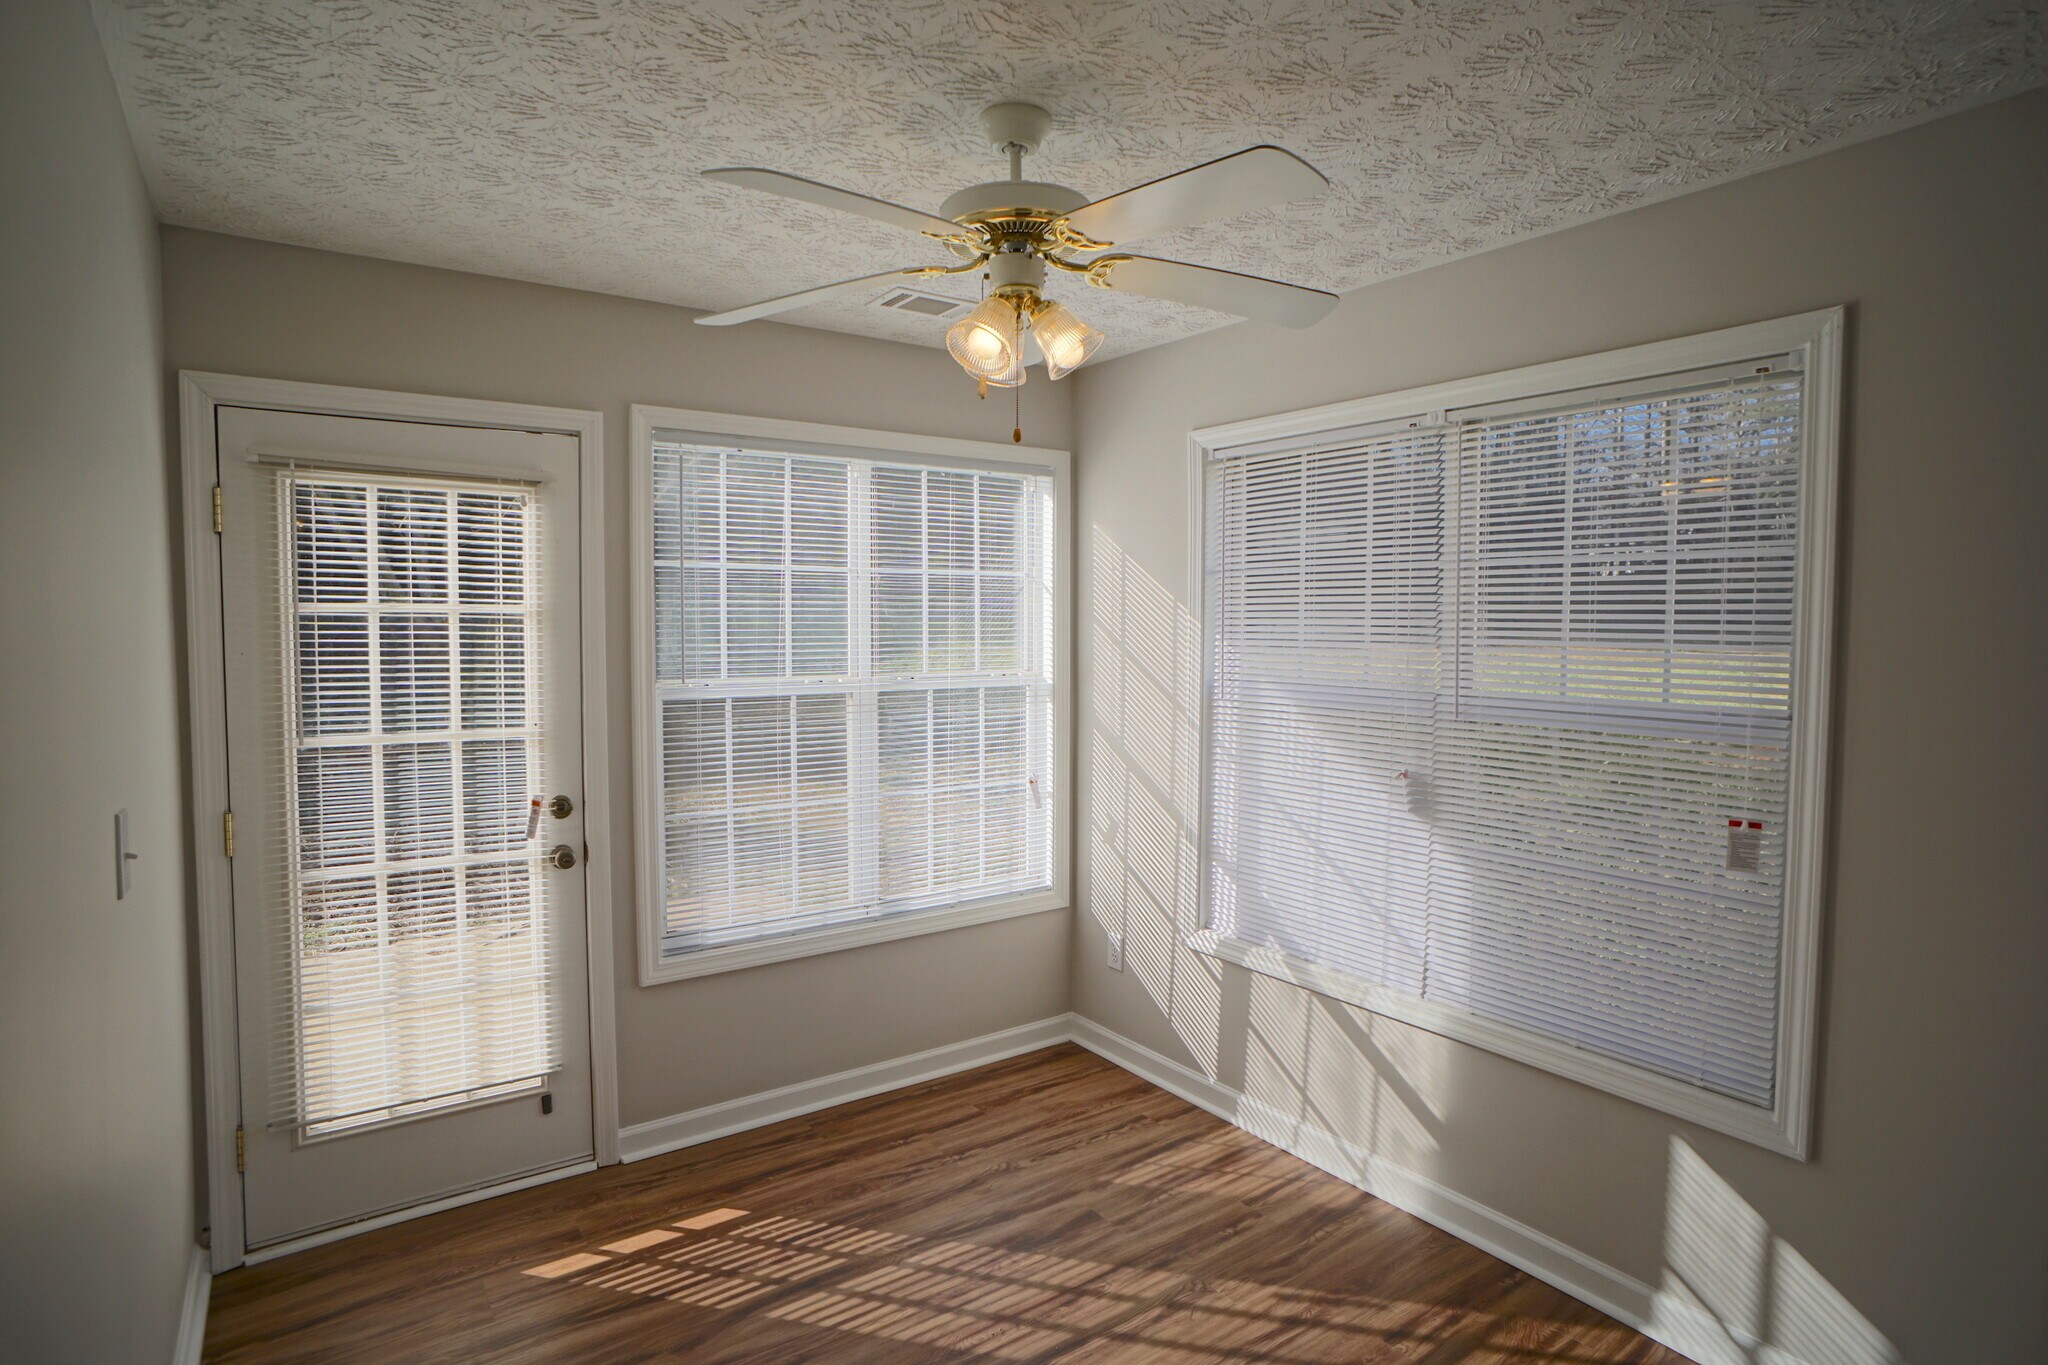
pixel 1662 1317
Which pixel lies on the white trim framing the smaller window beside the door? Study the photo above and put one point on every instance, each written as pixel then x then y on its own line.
pixel 742 431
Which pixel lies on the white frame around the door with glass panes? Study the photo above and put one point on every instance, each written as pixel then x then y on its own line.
pixel 200 396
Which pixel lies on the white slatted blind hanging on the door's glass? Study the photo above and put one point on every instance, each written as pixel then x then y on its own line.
pixel 419 957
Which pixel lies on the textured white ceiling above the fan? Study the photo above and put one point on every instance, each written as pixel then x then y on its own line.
pixel 558 140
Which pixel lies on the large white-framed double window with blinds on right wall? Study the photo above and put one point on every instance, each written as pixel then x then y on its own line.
pixel 1514 713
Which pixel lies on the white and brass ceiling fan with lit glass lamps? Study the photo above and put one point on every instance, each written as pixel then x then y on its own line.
pixel 1013 230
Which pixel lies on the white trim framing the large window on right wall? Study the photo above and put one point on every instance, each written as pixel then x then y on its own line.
pixel 1814 343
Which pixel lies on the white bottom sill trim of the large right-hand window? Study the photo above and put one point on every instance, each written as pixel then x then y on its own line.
pixel 1770 1129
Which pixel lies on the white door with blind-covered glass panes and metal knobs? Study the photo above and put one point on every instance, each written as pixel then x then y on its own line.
pixel 400 619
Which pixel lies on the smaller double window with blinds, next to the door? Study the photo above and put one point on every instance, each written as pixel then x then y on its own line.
pixel 853 699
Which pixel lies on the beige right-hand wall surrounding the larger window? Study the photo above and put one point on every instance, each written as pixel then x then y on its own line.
pixel 1922 1215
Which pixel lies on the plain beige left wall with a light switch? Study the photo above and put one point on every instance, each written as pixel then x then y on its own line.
pixel 95 1092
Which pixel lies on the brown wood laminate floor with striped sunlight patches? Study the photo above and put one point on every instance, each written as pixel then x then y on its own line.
pixel 1048 1208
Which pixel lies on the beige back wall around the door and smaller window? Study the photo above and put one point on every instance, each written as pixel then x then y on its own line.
pixel 253 308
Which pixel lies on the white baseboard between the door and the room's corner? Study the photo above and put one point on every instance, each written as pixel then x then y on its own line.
pixel 790 1102
